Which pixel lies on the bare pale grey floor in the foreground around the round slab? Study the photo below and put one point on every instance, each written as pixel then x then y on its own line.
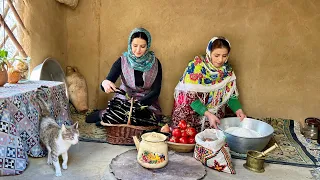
pixel 91 161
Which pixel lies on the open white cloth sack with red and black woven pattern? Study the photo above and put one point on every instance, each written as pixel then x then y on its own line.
pixel 212 151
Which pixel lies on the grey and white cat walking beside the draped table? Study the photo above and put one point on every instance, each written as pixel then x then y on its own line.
pixel 57 139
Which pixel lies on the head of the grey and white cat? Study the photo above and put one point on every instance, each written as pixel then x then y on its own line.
pixel 70 133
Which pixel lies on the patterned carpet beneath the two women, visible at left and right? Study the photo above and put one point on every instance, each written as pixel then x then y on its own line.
pixel 294 148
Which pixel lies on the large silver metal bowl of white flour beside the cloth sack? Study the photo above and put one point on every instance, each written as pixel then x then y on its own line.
pixel 244 144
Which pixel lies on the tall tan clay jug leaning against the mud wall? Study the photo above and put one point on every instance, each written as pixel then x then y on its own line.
pixel 77 89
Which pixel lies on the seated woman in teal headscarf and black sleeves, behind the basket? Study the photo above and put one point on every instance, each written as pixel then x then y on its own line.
pixel 141 76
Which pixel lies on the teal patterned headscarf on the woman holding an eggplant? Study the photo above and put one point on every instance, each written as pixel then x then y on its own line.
pixel 146 61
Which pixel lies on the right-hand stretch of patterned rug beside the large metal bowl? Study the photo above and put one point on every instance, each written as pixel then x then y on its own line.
pixel 294 148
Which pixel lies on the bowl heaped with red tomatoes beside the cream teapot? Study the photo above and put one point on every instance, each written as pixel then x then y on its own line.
pixel 182 138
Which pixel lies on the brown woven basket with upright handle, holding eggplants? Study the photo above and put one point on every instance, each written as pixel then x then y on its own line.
pixel 121 134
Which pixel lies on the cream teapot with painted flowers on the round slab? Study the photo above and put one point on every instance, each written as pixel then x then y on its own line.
pixel 152 150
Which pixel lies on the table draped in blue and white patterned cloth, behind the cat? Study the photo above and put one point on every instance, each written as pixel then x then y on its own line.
pixel 19 122
